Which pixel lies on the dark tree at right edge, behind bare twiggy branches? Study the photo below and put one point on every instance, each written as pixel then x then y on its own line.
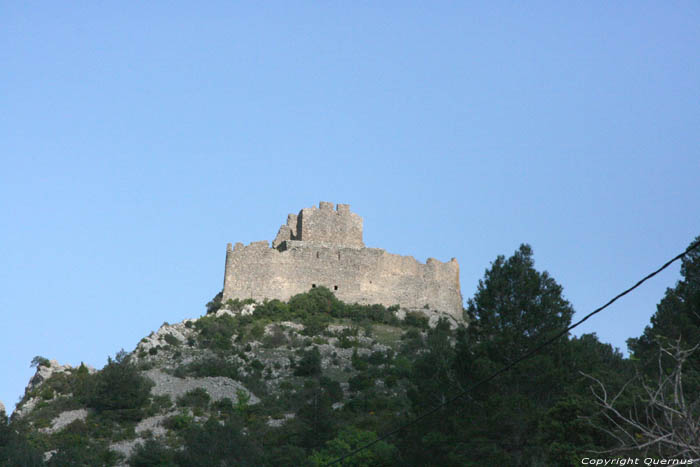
pixel 657 410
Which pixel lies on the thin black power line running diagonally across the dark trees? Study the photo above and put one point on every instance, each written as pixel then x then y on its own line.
pixel 519 359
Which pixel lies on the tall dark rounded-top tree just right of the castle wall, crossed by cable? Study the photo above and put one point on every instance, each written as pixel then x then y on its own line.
pixel 514 309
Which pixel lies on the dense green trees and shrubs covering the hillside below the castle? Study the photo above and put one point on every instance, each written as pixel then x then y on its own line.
pixel 541 412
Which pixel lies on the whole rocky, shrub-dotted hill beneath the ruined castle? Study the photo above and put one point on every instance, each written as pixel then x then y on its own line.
pixel 271 377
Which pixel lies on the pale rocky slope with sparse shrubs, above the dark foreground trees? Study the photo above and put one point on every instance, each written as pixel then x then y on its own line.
pixel 235 360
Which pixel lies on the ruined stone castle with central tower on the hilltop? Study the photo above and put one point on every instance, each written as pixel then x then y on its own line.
pixel 324 247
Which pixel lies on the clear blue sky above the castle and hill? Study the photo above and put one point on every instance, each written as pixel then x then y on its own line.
pixel 137 139
